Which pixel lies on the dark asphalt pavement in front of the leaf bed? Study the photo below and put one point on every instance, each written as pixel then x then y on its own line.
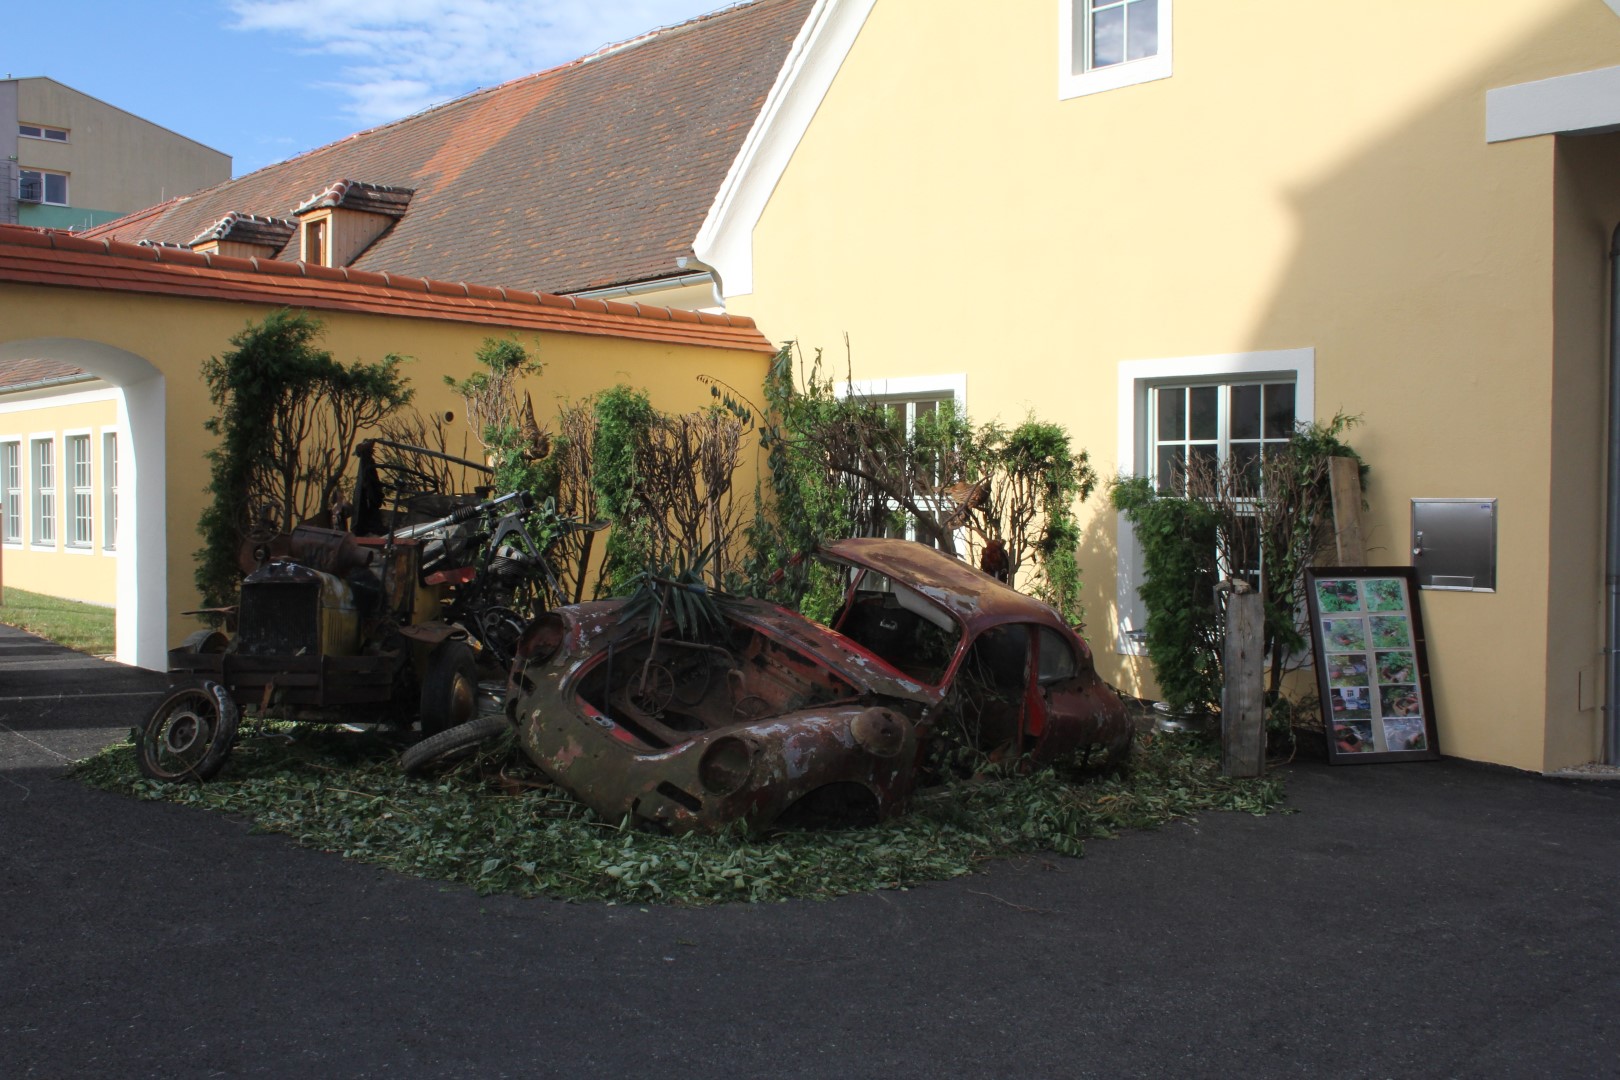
pixel 1412 921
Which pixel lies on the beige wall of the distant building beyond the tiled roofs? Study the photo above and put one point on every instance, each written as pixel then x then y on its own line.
pixel 116 161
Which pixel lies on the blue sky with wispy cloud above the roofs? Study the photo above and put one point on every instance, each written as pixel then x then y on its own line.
pixel 263 80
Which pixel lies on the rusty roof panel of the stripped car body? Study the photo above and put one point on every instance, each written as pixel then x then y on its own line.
pixel 966 593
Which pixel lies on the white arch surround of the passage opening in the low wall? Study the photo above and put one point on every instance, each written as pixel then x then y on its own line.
pixel 143 543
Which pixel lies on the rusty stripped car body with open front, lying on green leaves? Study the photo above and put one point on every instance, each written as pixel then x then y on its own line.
pixel 774 720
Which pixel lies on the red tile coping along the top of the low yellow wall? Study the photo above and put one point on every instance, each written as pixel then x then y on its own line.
pixel 64 260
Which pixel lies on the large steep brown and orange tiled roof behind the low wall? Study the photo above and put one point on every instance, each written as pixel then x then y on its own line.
pixel 594 174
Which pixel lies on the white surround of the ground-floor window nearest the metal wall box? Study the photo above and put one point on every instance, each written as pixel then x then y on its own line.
pixel 1138 378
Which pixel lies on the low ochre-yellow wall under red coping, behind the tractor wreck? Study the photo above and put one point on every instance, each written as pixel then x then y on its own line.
pixel 177 336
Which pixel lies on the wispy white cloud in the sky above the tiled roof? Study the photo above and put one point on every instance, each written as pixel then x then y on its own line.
pixel 396 57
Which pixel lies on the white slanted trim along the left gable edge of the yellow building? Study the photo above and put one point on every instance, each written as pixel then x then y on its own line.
pixel 725 244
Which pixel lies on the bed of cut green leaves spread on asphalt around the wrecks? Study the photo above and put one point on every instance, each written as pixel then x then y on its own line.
pixel 497 825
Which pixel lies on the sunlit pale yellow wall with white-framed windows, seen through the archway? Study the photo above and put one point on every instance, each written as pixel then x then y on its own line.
pixel 59 568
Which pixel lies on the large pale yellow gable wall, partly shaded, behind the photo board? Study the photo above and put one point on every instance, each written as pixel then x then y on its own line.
pixel 1310 177
